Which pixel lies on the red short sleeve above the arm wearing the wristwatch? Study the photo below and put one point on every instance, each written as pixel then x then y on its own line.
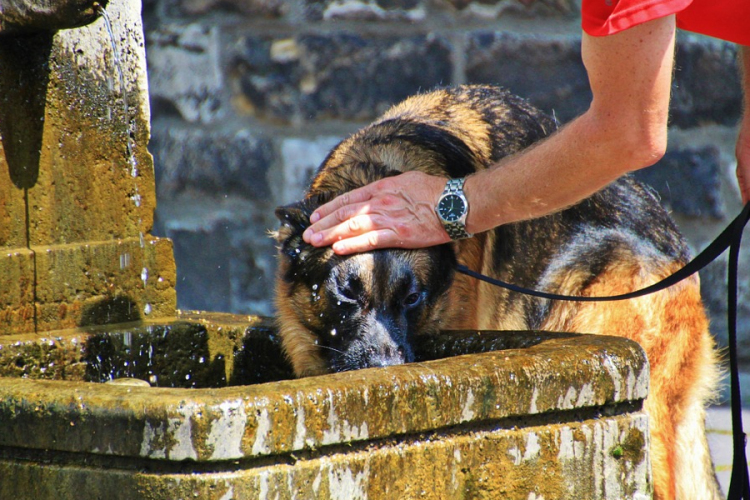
pixel 606 17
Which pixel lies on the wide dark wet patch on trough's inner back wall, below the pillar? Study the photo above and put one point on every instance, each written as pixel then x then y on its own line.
pixel 175 355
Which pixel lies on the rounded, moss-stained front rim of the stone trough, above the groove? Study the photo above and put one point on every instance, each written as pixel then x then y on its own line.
pixel 557 375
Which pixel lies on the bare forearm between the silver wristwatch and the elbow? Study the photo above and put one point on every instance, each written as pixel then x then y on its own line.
pixel 580 159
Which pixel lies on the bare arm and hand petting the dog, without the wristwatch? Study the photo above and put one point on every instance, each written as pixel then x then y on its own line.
pixel 624 129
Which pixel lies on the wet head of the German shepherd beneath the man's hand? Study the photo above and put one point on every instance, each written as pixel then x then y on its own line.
pixel 339 313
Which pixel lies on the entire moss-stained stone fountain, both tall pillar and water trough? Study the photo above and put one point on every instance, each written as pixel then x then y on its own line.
pixel 201 405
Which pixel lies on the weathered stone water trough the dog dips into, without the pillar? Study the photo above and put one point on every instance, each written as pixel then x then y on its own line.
pixel 541 415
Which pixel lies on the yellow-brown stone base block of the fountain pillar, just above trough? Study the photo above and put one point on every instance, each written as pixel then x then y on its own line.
pixel 64 286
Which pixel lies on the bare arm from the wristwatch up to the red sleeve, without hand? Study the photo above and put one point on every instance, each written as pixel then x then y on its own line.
pixel 623 130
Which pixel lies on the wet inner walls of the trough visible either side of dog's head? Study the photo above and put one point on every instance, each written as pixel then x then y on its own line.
pixel 180 354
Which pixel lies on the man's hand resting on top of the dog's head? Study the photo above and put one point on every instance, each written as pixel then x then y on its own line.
pixel 393 212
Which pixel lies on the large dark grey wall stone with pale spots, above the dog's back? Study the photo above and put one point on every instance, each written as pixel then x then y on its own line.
pixel 340 75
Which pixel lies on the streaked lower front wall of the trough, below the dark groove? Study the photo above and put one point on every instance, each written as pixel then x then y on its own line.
pixel 603 459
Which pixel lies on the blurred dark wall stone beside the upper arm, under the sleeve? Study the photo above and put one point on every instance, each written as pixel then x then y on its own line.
pixel 548 71
